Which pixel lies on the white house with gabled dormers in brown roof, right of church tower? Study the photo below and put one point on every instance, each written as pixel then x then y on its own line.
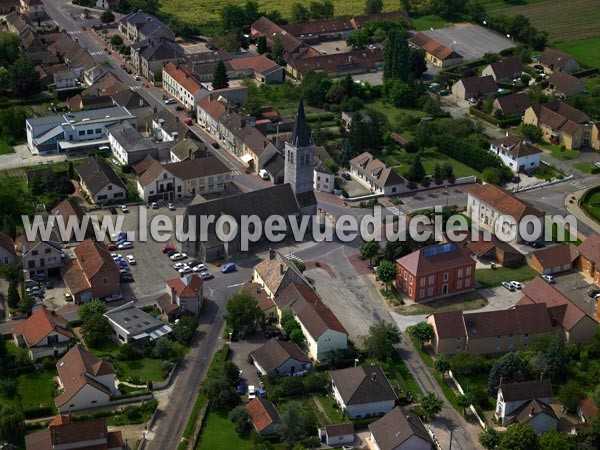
pixel 376 175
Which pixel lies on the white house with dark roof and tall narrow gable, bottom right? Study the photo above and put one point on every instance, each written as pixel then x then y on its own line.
pixel 512 396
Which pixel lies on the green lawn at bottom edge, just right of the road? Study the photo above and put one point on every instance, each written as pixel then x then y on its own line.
pixel 219 434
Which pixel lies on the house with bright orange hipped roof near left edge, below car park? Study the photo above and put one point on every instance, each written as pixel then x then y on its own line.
pixel 44 333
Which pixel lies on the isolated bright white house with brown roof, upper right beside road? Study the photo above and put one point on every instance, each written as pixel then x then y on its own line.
pixel 519 154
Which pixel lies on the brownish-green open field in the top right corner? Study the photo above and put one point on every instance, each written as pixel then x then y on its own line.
pixel 563 20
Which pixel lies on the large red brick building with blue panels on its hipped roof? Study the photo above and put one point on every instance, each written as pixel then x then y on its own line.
pixel 436 271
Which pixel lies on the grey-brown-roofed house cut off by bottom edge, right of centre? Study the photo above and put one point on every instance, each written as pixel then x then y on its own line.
pixel 400 430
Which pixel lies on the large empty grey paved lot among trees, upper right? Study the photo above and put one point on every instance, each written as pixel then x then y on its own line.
pixel 471 41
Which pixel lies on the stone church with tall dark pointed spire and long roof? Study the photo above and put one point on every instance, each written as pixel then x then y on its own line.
pixel 295 197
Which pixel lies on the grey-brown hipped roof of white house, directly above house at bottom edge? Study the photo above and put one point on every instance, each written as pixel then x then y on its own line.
pixel 358 385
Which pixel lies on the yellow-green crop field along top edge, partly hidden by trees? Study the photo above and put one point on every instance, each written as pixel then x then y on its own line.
pixel 205 12
